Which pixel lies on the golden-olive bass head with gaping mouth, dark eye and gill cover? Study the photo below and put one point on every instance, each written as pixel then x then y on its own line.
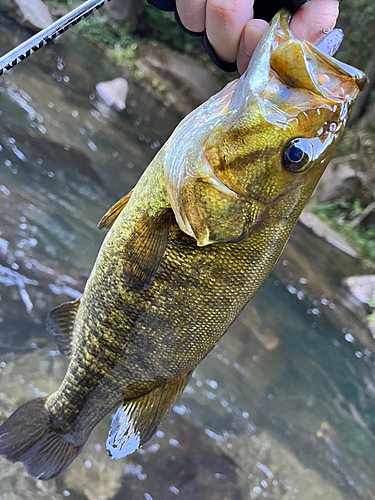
pixel 276 133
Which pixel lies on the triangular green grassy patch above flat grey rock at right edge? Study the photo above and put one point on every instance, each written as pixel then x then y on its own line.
pixel 337 215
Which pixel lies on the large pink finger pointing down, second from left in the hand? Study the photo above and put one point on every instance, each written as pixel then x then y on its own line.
pixel 225 20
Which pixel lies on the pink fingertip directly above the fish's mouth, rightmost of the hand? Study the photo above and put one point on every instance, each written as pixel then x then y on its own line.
pixel 313 17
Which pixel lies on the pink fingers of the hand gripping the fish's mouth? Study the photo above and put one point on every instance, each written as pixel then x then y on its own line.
pixel 234 33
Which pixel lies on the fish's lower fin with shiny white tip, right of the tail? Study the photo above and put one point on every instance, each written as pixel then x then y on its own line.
pixel 136 421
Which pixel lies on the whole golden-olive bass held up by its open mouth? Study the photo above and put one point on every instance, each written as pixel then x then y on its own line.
pixel 187 249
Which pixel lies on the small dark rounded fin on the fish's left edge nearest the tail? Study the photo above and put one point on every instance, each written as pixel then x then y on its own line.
pixel 60 324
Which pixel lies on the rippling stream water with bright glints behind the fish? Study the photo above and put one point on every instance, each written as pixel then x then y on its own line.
pixel 283 408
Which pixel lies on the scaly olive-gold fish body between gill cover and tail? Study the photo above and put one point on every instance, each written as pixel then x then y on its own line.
pixel 126 344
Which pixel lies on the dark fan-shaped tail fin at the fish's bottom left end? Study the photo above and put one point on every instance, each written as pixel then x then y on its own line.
pixel 28 436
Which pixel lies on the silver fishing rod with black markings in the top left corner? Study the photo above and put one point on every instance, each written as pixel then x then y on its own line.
pixel 45 36
